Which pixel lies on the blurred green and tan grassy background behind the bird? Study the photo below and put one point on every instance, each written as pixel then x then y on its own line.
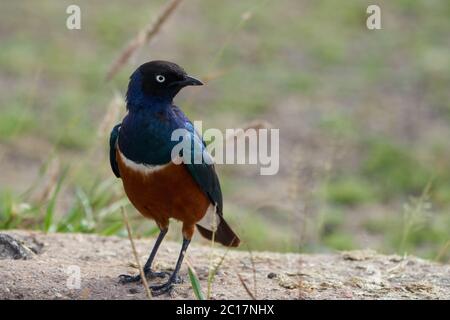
pixel 364 117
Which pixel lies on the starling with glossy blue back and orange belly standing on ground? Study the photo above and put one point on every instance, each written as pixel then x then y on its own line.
pixel 159 187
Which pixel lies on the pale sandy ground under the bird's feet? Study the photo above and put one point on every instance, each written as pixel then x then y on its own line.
pixel 35 265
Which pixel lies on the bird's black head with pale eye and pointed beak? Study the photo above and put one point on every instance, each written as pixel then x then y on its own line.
pixel 158 80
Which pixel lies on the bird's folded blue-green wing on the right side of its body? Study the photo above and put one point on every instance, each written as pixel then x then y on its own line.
pixel 202 170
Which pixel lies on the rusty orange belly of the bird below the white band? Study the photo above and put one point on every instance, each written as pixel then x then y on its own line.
pixel 169 192
